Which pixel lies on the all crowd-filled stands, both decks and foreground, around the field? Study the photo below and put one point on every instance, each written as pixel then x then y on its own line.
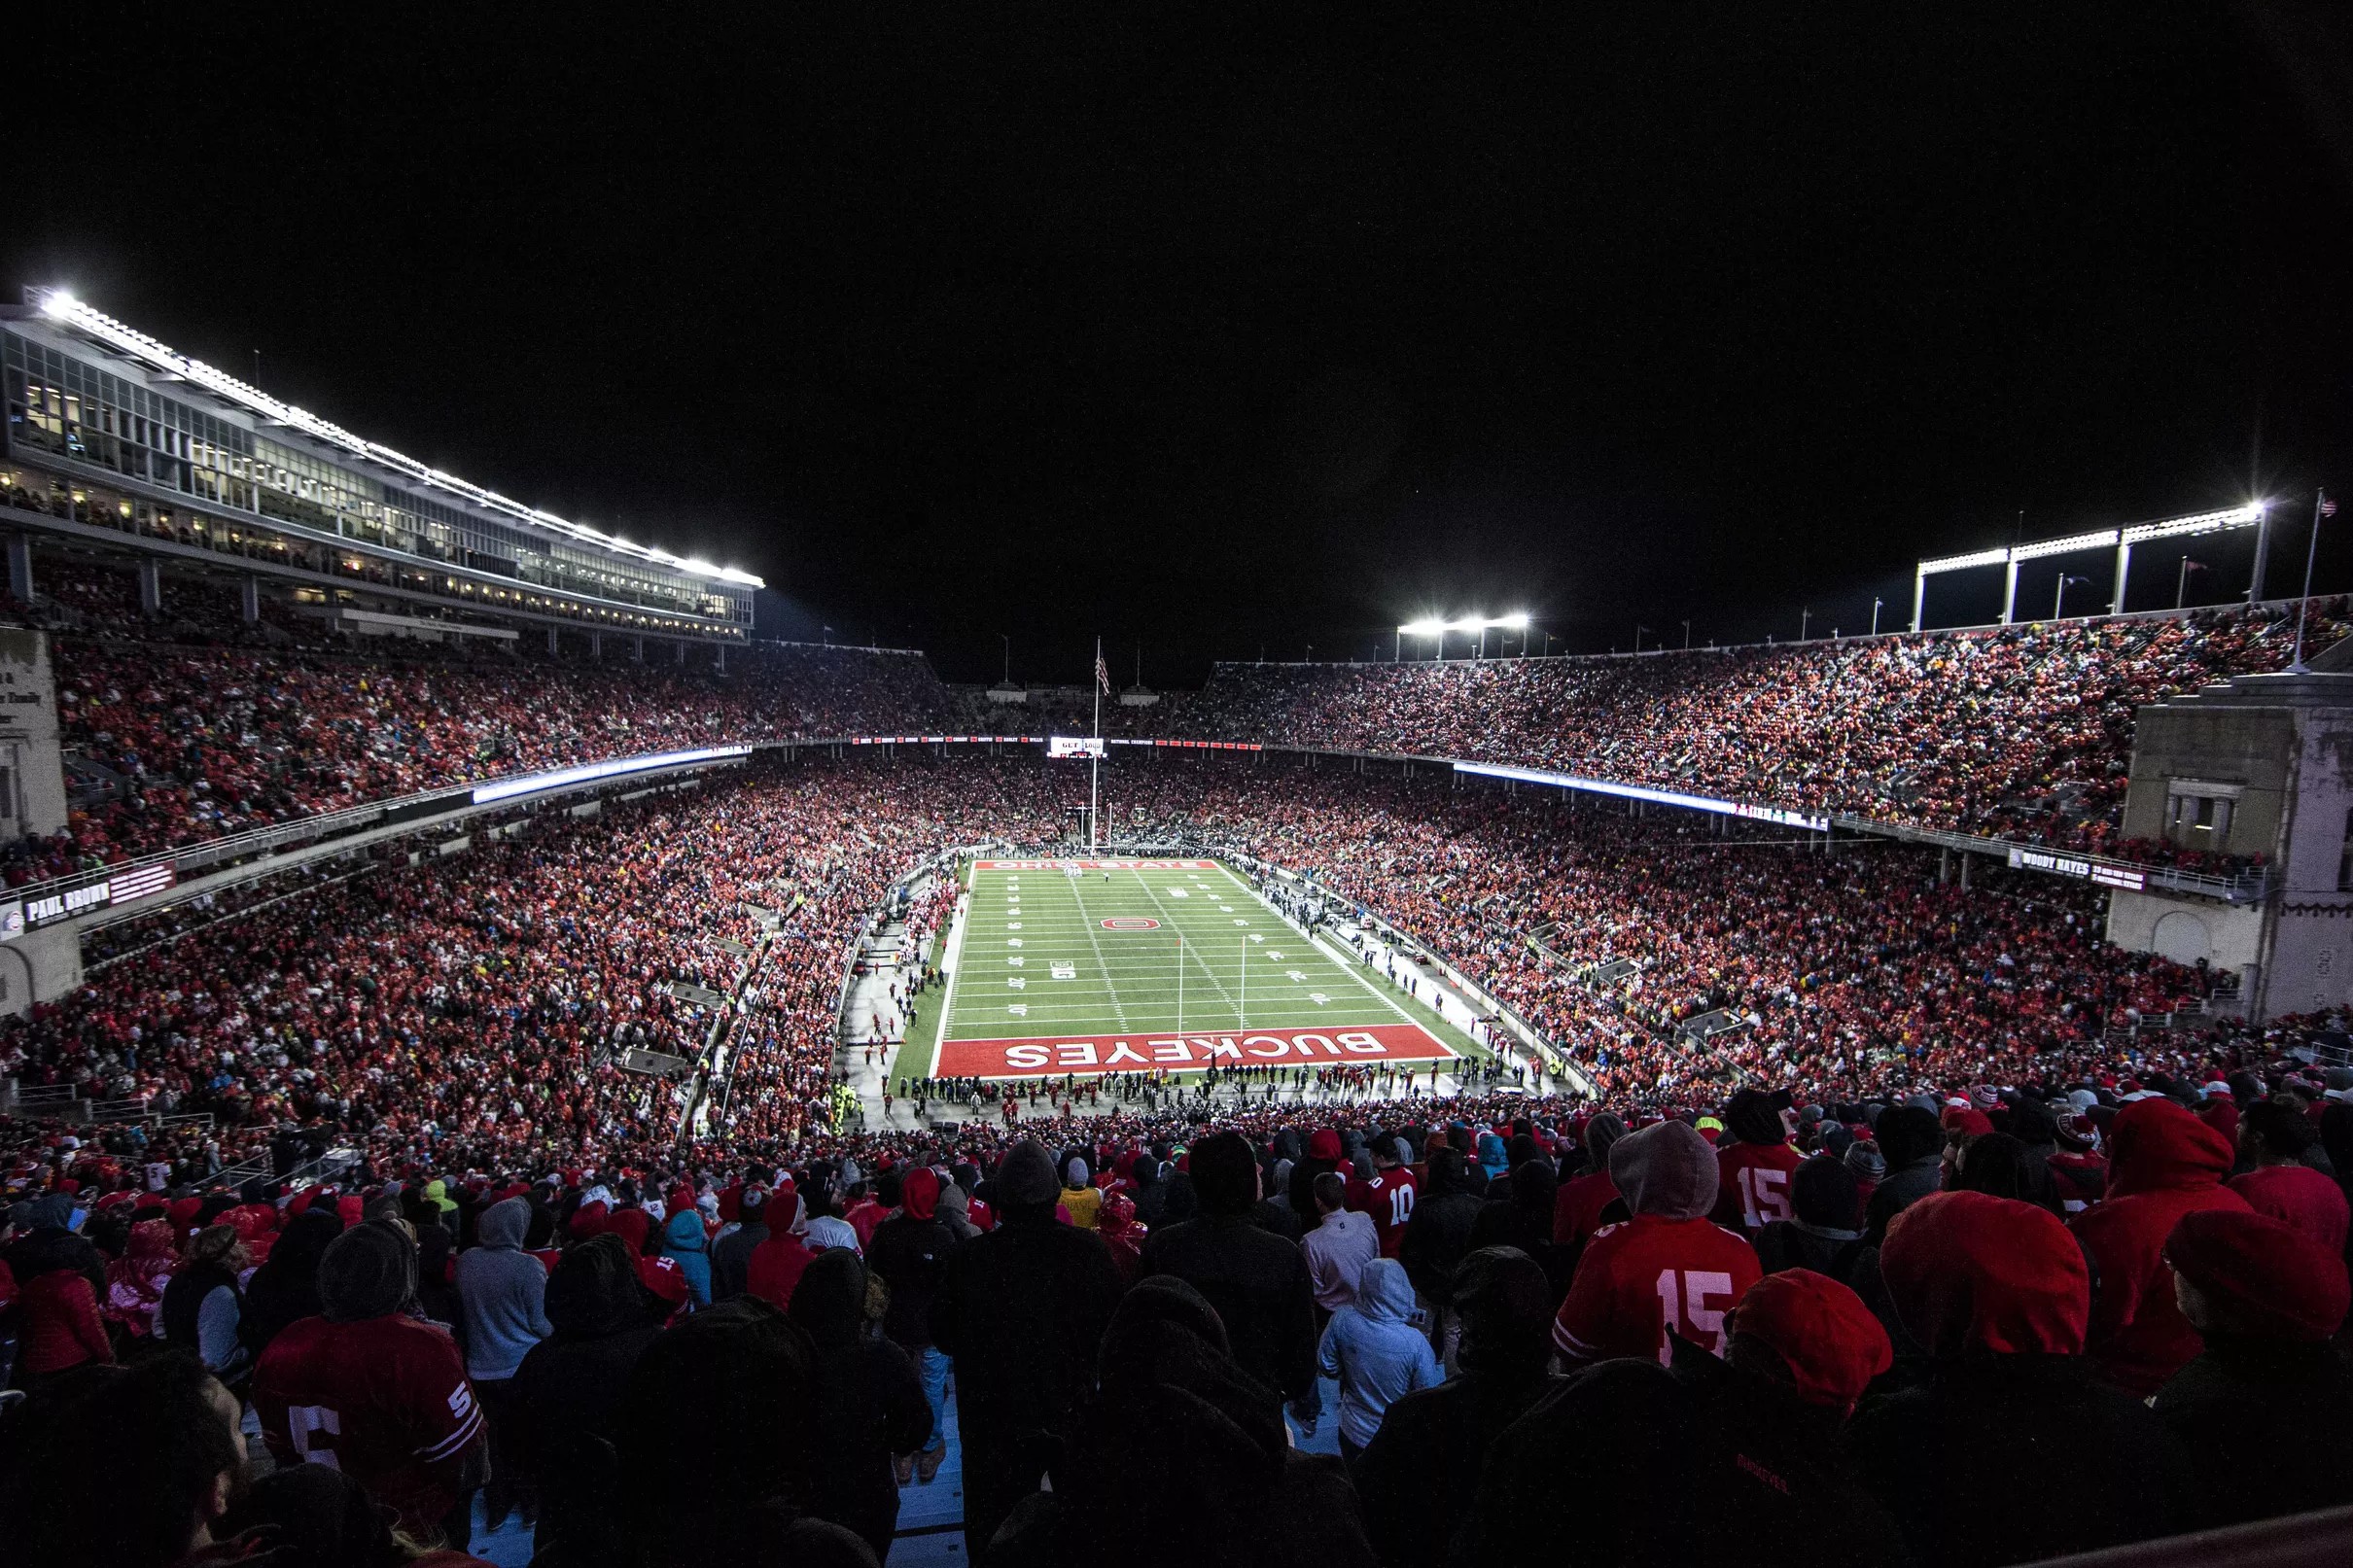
pixel 1912 1087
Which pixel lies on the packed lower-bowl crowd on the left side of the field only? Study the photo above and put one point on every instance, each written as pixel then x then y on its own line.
pixel 484 998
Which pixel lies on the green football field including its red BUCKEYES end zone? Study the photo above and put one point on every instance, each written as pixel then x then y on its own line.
pixel 1100 967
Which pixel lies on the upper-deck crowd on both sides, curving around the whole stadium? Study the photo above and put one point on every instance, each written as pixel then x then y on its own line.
pixel 194 725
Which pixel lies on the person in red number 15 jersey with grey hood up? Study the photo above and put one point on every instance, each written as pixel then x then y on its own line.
pixel 1669 1268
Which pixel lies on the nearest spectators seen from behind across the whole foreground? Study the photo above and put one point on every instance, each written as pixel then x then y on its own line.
pixel 2117 1308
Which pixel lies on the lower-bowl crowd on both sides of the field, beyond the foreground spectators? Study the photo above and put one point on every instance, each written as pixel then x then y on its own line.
pixel 531 960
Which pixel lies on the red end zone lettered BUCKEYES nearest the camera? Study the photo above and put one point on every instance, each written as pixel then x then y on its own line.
pixel 1058 1054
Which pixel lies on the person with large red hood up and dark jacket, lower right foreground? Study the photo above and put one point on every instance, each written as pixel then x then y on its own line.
pixel 2011 1452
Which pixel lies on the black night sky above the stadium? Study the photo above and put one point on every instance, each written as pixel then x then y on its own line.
pixel 1211 335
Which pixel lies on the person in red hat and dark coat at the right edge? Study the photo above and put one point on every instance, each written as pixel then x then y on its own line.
pixel 2265 1299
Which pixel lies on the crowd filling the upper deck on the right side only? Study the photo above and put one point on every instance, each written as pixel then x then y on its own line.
pixel 2018 732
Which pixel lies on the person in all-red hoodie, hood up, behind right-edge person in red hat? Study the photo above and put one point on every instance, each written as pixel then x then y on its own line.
pixel 2164 1165
